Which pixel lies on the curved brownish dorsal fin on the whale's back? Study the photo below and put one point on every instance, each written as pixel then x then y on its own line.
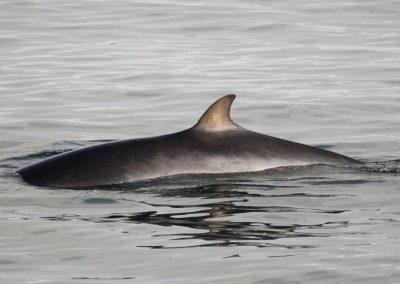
pixel 217 117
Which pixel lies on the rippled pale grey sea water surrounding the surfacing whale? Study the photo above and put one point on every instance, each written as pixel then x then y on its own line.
pixel 326 73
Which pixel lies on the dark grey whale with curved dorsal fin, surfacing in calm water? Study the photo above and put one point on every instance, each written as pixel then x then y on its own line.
pixel 214 145
